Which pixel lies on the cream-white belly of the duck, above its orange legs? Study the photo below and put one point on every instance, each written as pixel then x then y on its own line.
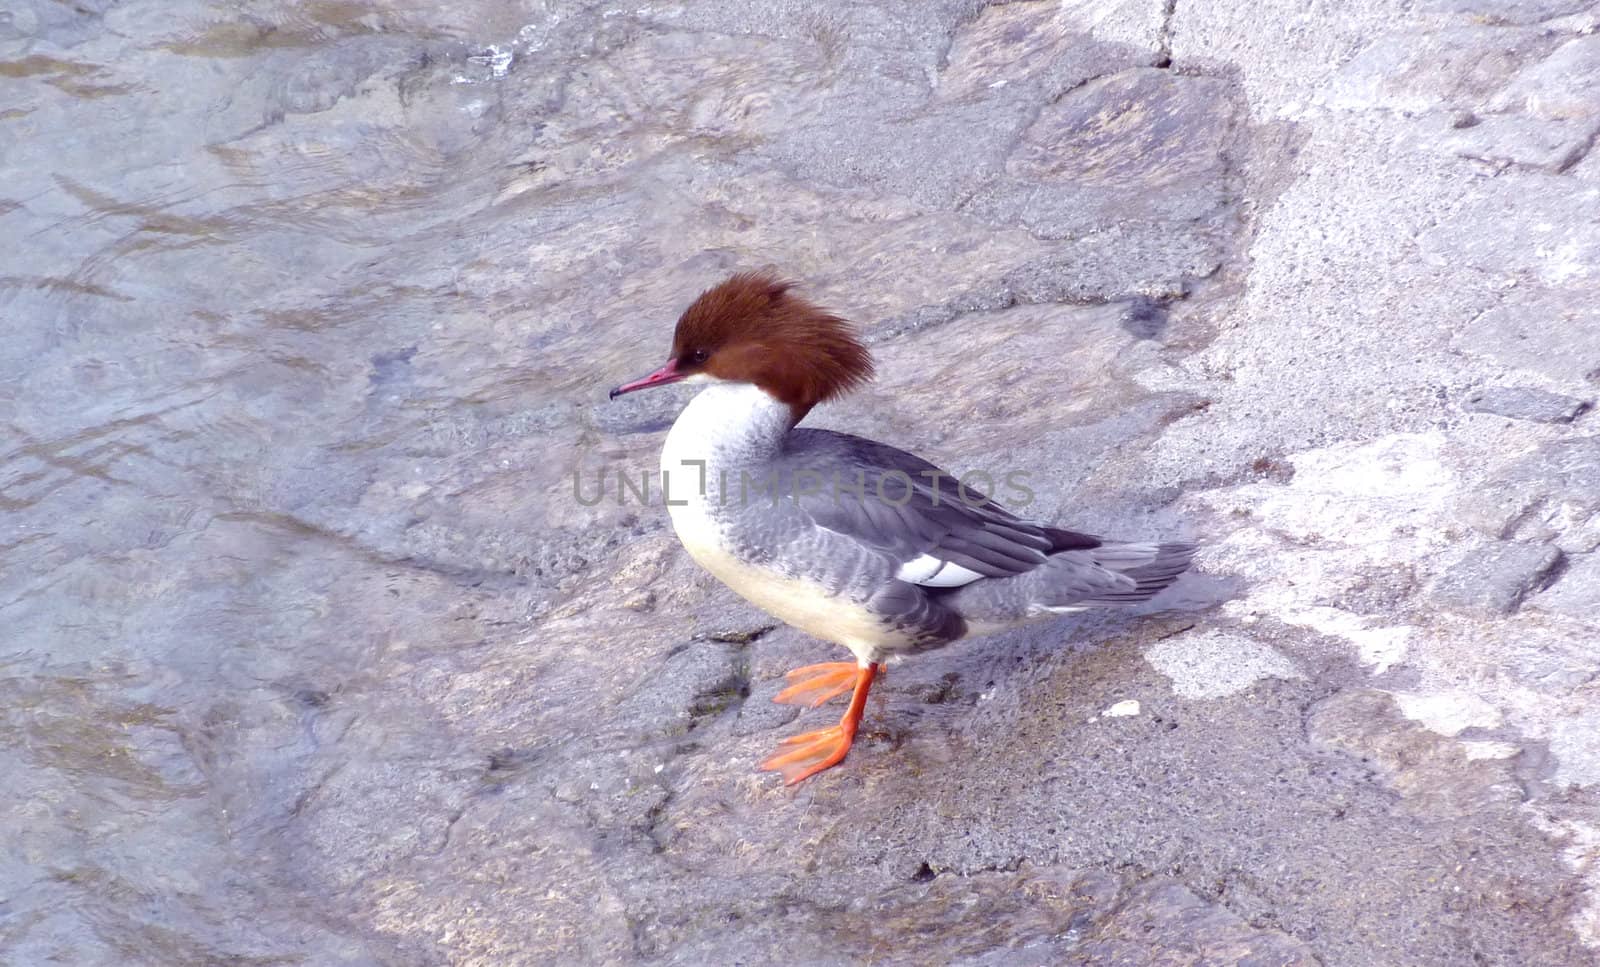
pixel 791 600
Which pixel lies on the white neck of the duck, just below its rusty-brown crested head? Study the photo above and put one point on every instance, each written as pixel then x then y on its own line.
pixel 729 425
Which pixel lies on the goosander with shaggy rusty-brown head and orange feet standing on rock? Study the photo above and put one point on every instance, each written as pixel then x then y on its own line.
pixel 846 539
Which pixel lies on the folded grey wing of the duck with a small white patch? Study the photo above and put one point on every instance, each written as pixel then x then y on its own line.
pixel 911 512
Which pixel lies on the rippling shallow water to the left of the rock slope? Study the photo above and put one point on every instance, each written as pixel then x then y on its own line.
pixel 238 297
